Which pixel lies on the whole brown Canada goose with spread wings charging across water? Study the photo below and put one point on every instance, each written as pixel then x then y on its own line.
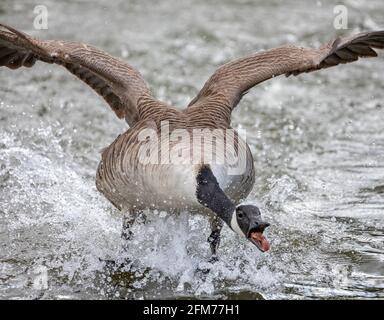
pixel 134 180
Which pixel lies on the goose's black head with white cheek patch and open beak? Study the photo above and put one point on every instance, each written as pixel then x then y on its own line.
pixel 246 221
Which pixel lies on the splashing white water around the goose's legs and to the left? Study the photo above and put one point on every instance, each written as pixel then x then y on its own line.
pixel 55 218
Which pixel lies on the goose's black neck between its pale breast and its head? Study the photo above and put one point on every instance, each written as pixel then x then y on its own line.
pixel 210 195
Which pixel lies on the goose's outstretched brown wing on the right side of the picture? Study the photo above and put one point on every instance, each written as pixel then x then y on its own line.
pixel 231 81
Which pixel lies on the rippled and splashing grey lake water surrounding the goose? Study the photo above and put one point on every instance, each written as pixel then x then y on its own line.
pixel 317 140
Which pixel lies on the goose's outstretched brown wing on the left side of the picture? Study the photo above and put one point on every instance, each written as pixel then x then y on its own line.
pixel 117 82
